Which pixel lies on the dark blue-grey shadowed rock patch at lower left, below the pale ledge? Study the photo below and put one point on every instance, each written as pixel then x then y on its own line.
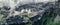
pixel 16 19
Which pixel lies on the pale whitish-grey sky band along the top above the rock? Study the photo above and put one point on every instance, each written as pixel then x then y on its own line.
pixel 15 2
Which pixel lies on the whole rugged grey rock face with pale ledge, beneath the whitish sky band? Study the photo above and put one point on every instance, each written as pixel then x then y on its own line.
pixel 38 13
